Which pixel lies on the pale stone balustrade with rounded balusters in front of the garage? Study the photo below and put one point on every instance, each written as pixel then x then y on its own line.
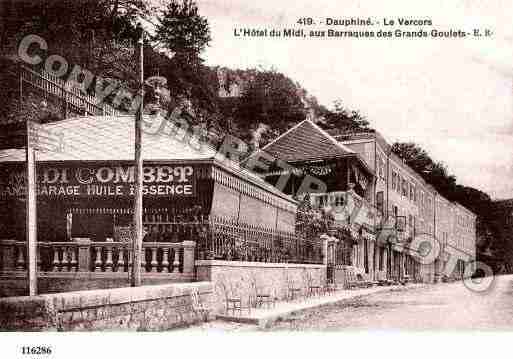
pixel 83 255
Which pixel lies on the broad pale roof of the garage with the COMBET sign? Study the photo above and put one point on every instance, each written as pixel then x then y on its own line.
pixel 111 138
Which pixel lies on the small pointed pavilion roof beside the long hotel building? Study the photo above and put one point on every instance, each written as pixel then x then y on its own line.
pixel 306 142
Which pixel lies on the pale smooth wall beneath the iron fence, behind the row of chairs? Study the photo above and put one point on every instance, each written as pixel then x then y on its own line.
pixel 236 279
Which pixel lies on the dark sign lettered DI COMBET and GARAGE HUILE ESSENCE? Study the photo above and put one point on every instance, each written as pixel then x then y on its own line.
pixel 101 181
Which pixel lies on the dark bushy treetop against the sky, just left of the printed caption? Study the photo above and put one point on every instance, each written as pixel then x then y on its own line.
pixel 182 29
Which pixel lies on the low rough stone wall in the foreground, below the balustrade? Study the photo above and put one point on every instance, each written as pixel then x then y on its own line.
pixel 158 307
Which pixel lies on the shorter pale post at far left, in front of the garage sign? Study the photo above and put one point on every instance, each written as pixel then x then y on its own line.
pixel 31 228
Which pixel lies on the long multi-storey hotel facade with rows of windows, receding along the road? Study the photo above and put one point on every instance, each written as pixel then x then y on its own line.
pixel 403 194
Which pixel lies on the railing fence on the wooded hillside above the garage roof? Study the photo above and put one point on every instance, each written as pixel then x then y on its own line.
pixel 72 99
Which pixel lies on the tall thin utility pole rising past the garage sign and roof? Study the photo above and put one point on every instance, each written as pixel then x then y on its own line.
pixel 138 173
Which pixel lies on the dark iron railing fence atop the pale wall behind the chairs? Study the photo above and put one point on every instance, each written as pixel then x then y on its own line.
pixel 227 239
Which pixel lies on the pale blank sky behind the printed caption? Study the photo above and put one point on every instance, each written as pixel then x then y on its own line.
pixel 452 97
